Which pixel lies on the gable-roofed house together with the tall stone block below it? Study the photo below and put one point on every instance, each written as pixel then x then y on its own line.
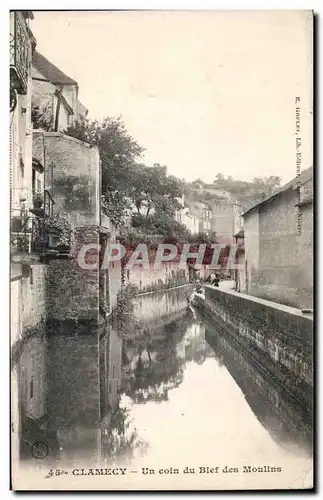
pixel 73 180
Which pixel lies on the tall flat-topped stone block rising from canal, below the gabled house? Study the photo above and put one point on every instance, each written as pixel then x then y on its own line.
pixel 73 177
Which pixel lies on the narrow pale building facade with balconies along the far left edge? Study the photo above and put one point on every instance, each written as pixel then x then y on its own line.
pixel 26 185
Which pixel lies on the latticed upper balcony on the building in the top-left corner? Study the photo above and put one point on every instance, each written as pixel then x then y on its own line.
pixel 19 52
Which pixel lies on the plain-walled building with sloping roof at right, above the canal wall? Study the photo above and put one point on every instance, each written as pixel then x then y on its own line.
pixel 278 234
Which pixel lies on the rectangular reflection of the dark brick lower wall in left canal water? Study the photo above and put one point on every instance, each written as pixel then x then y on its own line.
pixel 73 396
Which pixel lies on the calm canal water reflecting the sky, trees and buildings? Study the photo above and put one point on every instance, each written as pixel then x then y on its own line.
pixel 173 394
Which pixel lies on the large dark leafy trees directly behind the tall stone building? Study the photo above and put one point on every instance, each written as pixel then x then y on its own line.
pixel 125 182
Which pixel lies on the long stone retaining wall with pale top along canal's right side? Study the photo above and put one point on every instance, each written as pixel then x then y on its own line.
pixel 278 337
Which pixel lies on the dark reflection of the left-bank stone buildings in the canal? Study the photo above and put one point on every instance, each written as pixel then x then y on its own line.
pixel 68 388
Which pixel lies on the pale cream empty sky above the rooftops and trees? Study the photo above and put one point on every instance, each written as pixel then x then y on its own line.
pixel 203 92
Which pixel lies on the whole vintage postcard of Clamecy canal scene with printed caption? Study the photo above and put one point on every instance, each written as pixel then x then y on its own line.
pixel 161 215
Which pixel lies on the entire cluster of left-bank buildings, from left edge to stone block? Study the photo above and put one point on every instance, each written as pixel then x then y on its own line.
pixel 47 233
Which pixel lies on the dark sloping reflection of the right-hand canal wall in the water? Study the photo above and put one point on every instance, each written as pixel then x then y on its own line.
pixel 281 415
